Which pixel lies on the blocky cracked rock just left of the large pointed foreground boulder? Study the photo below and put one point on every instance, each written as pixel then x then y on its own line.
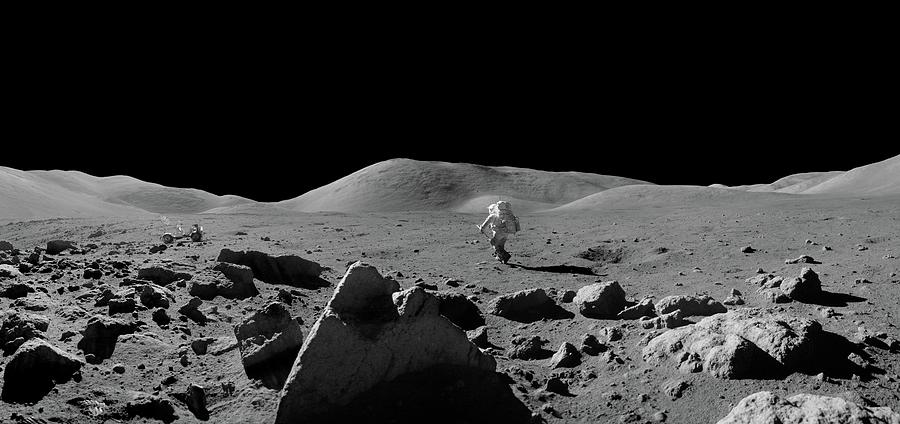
pixel 269 341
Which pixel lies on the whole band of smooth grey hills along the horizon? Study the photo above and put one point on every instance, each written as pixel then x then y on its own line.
pixel 410 185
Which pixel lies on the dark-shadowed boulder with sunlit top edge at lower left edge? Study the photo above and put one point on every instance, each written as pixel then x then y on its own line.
pixel 35 368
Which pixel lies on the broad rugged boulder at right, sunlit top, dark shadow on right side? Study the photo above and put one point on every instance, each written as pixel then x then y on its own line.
pixel 745 343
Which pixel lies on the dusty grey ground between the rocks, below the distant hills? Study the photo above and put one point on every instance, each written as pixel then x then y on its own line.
pixel 650 251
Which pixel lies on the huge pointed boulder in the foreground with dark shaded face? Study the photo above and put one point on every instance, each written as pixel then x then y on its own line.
pixel 374 346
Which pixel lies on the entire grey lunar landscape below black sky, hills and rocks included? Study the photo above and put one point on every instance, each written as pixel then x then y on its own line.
pixel 376 298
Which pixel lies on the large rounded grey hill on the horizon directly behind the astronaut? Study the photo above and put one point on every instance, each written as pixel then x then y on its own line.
pixel 404 184
